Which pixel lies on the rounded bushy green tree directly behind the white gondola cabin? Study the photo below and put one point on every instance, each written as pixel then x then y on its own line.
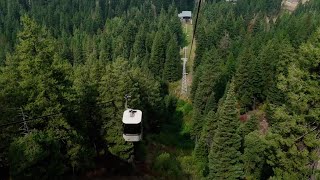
pixel 120 79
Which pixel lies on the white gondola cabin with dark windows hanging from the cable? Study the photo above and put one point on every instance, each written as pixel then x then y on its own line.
pixel 132 125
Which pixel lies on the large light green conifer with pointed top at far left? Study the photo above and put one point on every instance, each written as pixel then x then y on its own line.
pixel 38 72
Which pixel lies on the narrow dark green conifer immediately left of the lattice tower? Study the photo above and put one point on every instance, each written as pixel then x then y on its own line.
pixel 172 67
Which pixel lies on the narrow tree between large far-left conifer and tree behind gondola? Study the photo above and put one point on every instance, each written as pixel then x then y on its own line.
pixel 85 84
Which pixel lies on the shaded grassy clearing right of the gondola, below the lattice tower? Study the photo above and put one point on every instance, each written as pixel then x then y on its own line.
pixel 174 139
